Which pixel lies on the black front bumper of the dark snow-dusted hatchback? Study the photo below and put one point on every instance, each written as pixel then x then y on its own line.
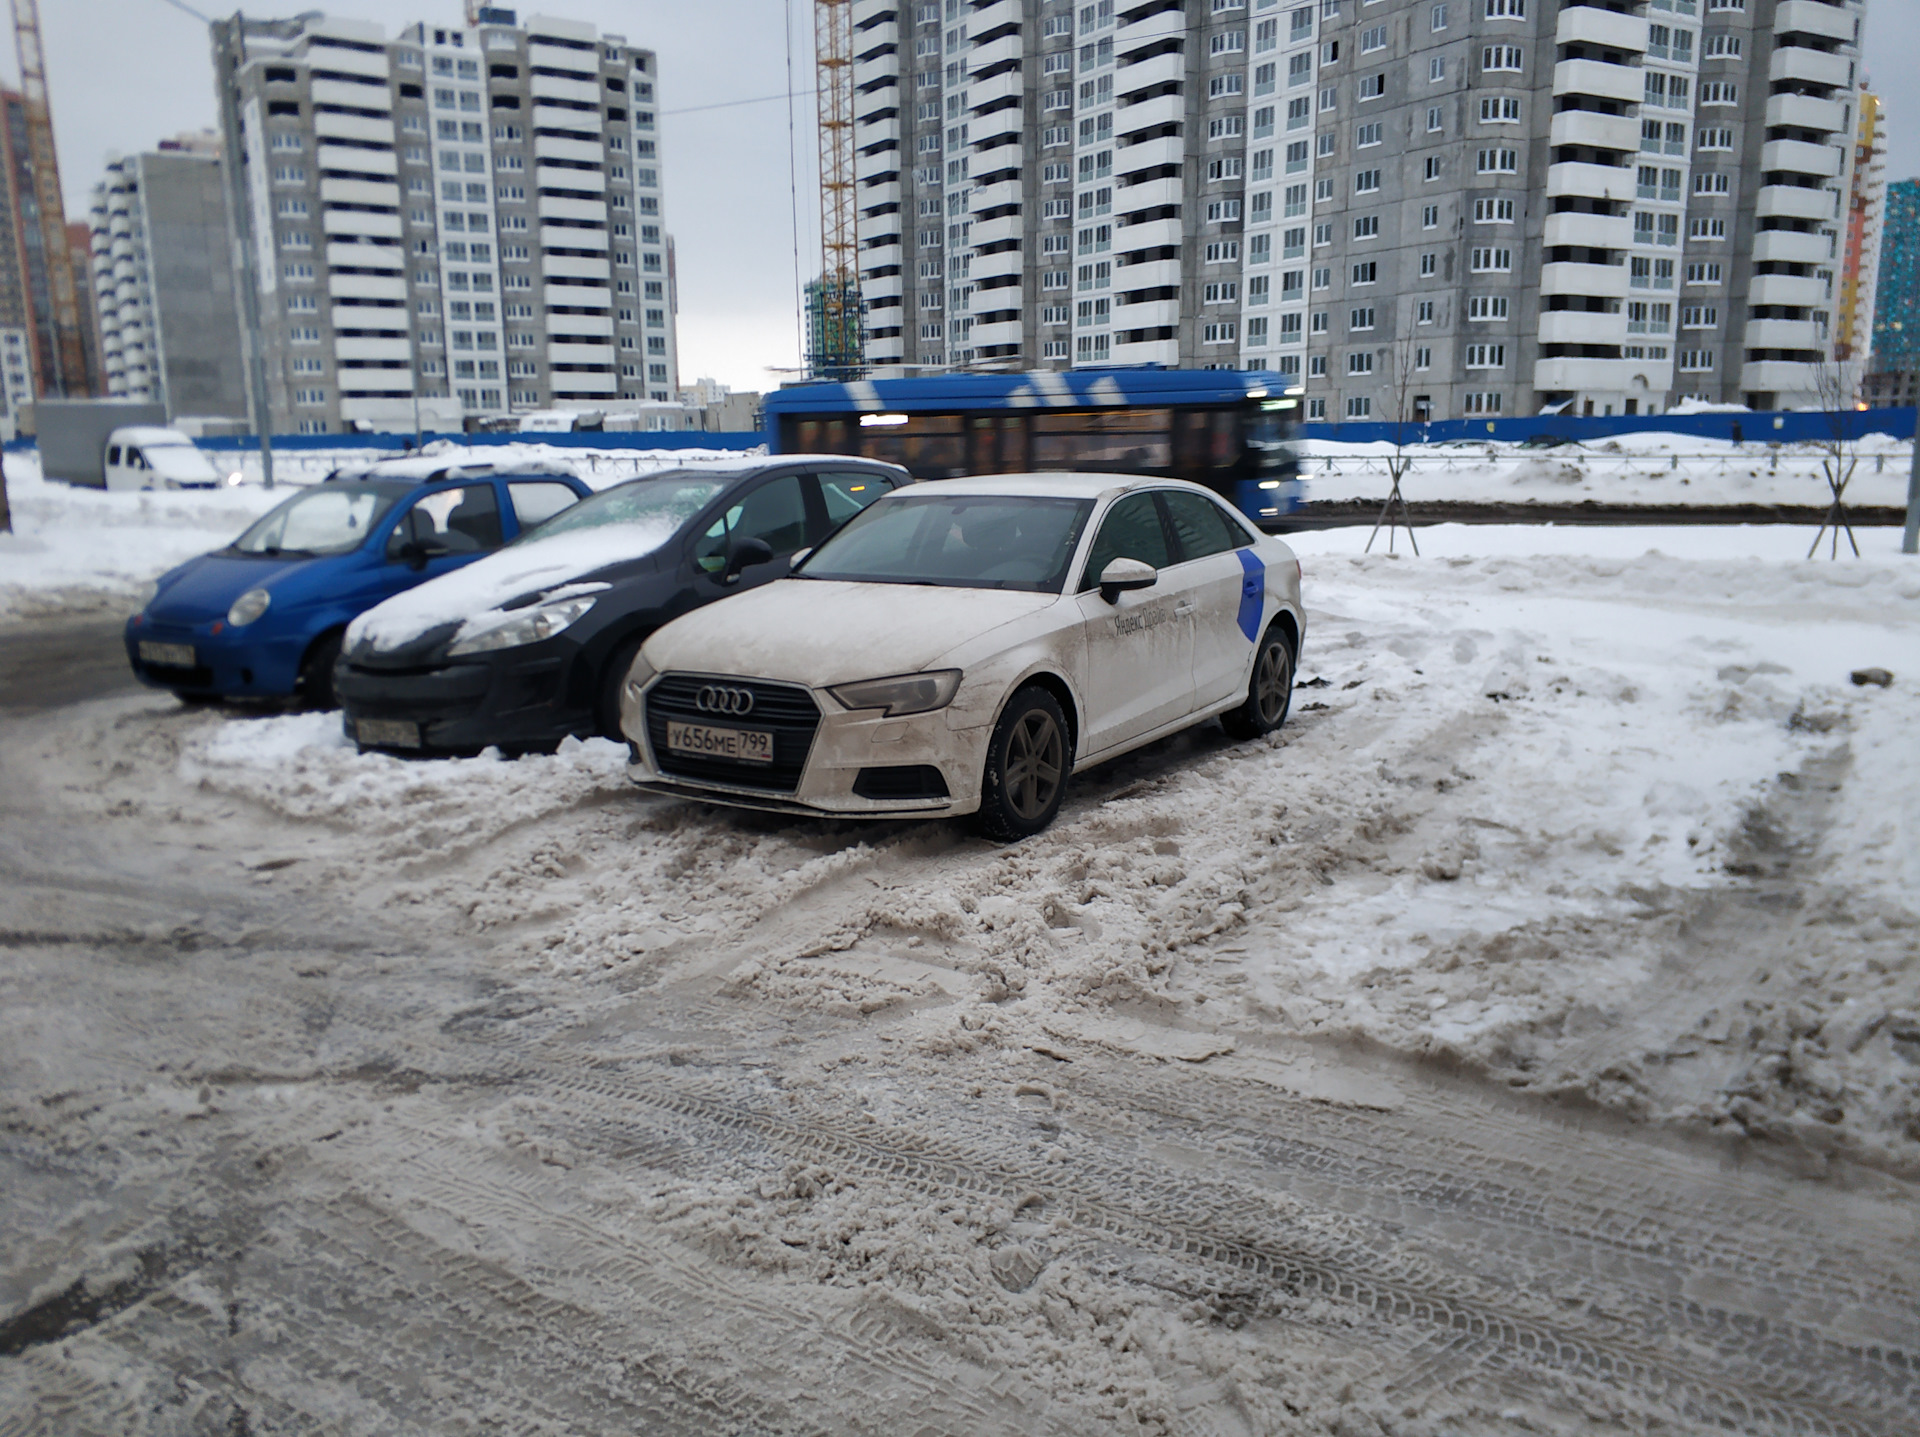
pixel 468 706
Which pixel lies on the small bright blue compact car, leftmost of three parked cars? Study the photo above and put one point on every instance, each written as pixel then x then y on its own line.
pixel 264 616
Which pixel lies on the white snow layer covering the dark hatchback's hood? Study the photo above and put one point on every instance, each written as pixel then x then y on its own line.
pixel 485 585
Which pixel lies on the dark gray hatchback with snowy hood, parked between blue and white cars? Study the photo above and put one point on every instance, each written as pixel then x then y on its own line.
pixel 531 645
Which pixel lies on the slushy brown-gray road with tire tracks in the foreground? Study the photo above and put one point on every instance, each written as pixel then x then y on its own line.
pixel 308 1127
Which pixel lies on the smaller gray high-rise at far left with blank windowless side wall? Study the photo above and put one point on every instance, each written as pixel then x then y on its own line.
pixel 164 280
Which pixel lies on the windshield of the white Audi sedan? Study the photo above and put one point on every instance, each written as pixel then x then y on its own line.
pixel 957 541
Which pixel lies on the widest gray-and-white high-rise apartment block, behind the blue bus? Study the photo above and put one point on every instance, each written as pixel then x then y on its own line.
pixel 1439 207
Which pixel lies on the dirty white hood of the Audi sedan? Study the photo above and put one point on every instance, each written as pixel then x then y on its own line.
pixel 828 631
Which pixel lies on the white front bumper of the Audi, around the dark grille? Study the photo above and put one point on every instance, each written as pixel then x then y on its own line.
pixel 850 752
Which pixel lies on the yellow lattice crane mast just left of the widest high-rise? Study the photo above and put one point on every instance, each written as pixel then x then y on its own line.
pixel 834 303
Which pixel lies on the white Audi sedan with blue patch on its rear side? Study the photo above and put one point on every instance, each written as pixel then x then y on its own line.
pixel 965 646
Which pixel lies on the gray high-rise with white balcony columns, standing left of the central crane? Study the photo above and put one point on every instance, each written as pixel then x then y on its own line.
pixel 464 214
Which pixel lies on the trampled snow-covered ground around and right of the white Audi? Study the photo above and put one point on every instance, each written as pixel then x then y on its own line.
pixel 1522 769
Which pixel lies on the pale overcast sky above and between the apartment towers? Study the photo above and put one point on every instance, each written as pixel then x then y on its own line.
pixel 126 74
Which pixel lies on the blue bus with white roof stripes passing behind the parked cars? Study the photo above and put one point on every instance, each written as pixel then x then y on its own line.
pixel 1228 429
